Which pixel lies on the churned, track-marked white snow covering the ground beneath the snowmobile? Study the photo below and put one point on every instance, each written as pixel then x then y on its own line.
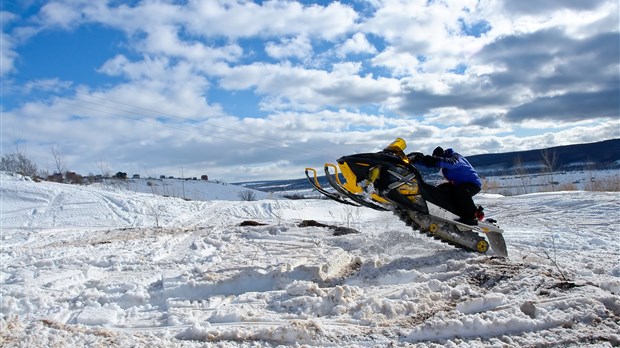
pixel 120 266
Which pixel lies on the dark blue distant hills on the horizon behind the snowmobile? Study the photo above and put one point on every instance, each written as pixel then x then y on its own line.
pixel 590 156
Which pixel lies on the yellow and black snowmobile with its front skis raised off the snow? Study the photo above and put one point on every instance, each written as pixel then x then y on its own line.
pixel 389 181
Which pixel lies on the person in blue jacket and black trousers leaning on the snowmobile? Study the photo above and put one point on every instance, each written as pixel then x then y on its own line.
pixel 463 181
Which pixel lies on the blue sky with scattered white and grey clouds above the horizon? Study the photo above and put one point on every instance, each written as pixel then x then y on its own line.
pixel 246 91
